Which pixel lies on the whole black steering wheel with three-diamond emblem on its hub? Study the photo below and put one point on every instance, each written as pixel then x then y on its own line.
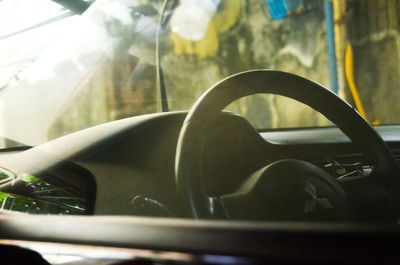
pixel 287 189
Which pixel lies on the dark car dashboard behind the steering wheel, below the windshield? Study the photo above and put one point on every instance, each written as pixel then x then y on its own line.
pixel 135 158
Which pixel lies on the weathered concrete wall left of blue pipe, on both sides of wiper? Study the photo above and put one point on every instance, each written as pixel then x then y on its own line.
pixel 123 86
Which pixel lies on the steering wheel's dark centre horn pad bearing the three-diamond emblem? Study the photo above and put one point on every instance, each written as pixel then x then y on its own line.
pixel 288 190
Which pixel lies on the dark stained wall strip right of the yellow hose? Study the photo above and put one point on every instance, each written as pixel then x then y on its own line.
pixel 373 28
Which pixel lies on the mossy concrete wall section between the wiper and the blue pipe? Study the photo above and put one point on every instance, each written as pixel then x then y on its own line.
pixel 296 44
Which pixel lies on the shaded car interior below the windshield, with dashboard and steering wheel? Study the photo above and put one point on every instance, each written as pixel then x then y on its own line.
pixel 205 185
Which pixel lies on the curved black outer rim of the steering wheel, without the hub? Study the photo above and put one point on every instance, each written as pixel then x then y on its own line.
pixel 188 164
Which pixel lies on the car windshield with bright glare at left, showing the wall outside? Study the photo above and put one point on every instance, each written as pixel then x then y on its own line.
pixel 63 71
